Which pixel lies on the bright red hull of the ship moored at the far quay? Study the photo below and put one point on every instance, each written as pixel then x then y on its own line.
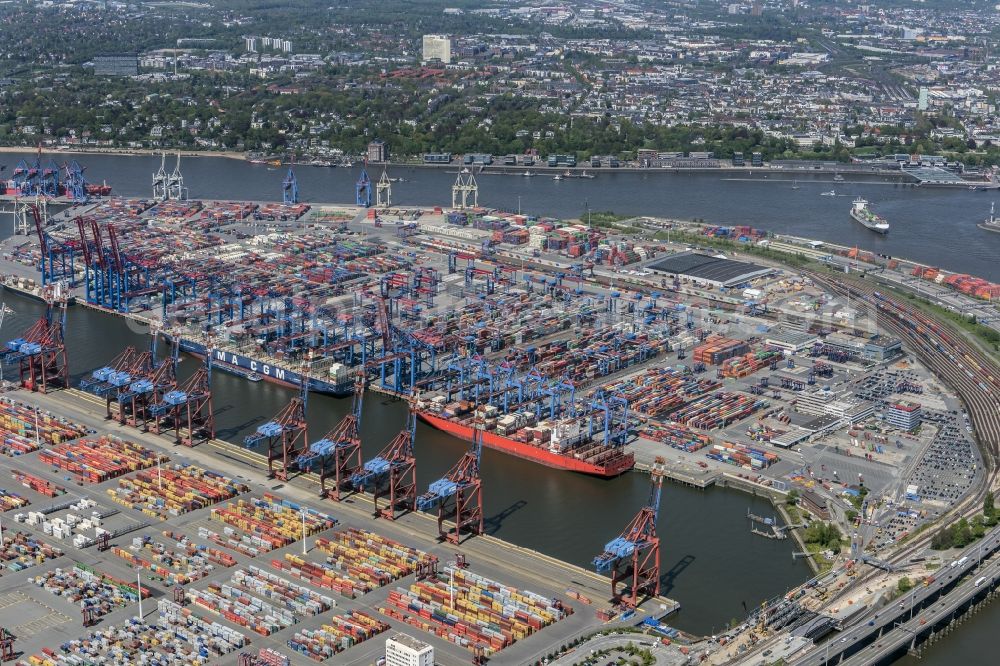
pixel 577 455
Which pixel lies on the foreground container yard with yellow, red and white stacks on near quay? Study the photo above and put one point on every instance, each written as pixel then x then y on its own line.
pixel 221 566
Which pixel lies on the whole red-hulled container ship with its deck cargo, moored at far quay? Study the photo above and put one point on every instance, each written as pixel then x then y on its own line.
pixel 563 444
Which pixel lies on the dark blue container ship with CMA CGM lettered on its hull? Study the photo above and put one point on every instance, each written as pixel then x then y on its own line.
pixel 337 382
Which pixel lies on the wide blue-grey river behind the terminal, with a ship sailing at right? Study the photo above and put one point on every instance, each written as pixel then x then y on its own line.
pixel 932 225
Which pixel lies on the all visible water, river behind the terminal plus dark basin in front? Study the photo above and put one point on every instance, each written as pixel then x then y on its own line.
pixel 711 562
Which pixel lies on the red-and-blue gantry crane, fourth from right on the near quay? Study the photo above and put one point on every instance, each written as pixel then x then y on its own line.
pixel 337 456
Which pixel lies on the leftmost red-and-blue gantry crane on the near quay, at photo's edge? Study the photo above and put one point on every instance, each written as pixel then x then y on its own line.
pixel 40 352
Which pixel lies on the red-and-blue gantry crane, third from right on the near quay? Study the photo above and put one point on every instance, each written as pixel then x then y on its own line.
pixel 393 472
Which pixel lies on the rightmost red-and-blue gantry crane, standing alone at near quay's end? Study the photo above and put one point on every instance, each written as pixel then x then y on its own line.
pixel 634 557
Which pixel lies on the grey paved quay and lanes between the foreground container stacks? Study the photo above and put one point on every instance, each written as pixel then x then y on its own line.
pixel 579 589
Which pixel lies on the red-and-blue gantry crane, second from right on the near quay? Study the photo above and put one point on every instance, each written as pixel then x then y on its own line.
pixel 458 495
